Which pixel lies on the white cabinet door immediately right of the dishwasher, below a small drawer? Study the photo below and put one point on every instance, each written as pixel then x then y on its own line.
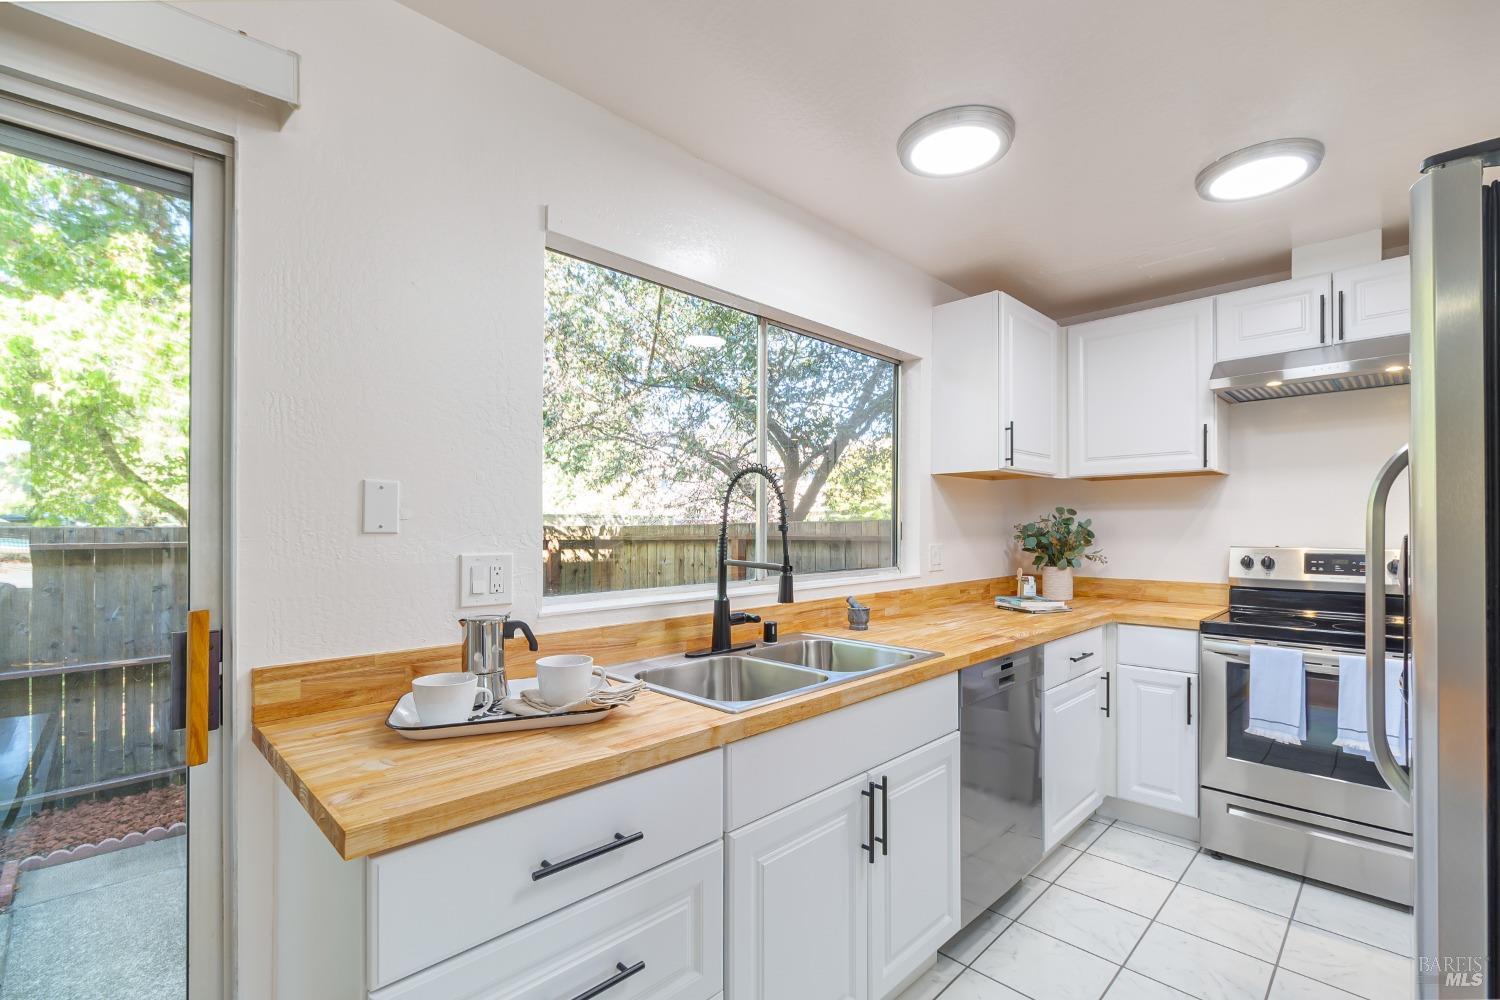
pixel 1073 767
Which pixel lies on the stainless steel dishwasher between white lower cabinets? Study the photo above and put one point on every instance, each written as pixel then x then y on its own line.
pixel 1000 731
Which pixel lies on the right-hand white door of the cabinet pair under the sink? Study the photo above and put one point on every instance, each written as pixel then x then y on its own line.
pixel 914 890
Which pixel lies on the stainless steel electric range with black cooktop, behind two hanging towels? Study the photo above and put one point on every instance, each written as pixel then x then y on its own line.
pixel 1303 806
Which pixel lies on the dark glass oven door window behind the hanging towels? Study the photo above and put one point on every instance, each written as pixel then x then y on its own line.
pixel 1316 755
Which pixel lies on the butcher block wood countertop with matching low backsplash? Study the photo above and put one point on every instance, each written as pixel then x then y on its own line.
pixel 323 725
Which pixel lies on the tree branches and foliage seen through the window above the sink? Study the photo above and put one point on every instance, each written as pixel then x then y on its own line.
pixel 638 419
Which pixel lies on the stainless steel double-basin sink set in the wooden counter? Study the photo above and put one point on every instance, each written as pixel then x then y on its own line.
pixel 739 681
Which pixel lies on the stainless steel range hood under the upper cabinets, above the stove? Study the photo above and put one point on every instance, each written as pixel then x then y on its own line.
pixel 1331 370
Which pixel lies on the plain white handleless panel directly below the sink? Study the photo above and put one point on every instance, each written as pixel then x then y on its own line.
pixel 791 764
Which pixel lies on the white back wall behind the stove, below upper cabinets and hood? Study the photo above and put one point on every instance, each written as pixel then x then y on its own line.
pixel 1300 476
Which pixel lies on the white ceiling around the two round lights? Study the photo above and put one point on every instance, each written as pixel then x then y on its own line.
pixel 1118 107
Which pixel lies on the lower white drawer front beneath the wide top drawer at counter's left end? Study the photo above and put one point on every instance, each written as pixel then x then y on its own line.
pixel 668 923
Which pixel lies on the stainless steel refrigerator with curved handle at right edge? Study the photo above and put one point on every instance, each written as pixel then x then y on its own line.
pixel 1454 573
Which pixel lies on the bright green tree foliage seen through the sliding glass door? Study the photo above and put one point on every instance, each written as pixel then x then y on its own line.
pixel 95 320
